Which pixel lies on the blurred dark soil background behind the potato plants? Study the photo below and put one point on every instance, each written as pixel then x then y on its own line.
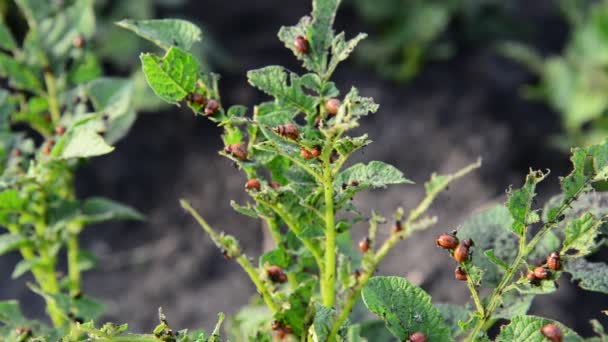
pixel 453 112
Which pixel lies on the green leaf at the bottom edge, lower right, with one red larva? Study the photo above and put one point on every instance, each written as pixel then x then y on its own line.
pixel 527 328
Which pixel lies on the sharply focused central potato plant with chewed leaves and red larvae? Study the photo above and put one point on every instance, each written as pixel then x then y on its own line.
pixel 293 151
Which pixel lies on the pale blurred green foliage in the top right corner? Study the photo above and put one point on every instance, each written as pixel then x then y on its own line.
pixel 574 82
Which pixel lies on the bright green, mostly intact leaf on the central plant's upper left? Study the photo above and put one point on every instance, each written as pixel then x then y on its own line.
pixel 174 76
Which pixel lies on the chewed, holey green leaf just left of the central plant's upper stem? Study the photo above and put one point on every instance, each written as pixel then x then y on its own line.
pixel 272 80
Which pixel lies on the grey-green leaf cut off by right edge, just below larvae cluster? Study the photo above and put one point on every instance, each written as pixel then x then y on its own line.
pixel 592 276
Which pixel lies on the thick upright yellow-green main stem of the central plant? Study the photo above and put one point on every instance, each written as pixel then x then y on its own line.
pixel 328 286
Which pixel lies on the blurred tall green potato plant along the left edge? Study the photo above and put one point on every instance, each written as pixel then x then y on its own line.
pixel 52 73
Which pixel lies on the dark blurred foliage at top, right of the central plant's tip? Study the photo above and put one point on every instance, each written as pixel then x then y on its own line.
pixel 407 34
